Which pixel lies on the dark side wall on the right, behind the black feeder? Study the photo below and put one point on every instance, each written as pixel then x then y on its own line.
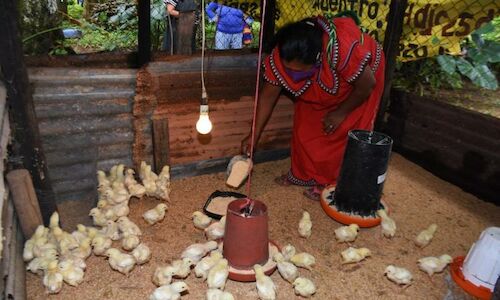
pixel 456 144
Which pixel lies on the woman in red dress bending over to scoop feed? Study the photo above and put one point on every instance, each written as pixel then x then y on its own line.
pixel 335 74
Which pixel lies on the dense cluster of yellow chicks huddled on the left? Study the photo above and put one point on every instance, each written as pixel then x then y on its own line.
pixel 61 255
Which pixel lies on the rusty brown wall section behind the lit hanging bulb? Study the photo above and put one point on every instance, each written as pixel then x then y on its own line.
pixel 173 89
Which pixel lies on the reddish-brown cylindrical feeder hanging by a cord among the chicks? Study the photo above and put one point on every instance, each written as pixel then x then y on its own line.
pixel 246 240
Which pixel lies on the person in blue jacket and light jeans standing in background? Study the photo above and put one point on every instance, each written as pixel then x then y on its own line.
pixel 229 25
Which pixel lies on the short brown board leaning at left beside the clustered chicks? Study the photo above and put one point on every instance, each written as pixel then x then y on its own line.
pixel 25 201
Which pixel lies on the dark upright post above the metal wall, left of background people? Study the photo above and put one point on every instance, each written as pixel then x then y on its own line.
pixel 144 35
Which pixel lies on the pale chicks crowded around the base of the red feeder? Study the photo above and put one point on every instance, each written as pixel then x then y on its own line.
pixel 210 265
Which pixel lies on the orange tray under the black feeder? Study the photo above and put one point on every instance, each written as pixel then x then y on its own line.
pixel 345 218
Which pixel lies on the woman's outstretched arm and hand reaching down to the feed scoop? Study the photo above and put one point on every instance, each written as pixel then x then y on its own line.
pixel 268 98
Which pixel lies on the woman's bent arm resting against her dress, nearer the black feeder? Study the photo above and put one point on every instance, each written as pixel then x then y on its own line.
pixel 361 90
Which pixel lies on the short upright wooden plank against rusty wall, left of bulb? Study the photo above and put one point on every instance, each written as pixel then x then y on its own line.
pixel 161 141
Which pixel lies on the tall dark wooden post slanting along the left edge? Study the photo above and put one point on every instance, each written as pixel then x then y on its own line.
pixel 26 148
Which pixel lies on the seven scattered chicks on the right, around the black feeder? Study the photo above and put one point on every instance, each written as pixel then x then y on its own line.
pixel 399 275
